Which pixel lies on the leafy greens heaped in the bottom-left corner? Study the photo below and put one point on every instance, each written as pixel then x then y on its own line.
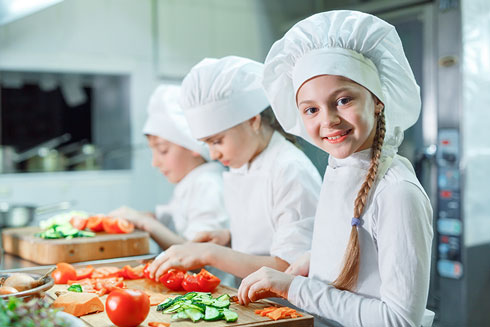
pixel 36 312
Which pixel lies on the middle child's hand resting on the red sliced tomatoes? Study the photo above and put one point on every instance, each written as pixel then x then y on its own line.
pixel 187 256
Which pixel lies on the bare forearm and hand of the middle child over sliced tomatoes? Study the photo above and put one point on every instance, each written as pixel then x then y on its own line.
pixel 196 255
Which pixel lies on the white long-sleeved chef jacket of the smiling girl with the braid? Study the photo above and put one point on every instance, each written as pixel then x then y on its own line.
pixel 395 242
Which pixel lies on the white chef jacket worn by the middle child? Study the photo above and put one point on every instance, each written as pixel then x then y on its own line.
pixel 272 201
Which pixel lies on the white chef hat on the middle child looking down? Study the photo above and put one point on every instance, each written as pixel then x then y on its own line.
pixel 218 94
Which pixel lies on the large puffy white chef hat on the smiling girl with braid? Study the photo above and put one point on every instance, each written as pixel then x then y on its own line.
pixel 348 43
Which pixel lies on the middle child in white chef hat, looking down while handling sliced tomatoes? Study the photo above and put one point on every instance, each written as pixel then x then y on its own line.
pixel 272 188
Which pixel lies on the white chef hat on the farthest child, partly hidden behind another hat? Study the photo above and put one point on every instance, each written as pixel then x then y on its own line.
pixel 166 120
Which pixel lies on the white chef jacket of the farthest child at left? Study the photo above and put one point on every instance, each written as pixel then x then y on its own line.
pixel 197 202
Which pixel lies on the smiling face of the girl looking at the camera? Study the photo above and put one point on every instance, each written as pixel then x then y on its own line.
pixel 339 114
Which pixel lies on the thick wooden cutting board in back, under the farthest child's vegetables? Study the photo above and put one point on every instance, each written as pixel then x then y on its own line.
pixel 23 243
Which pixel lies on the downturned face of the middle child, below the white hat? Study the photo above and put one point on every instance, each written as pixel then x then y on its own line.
pixel 235 146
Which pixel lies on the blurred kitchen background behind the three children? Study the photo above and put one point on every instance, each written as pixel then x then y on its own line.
pixel 76 76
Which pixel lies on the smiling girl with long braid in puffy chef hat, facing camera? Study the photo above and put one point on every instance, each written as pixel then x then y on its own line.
pixel 341 80
